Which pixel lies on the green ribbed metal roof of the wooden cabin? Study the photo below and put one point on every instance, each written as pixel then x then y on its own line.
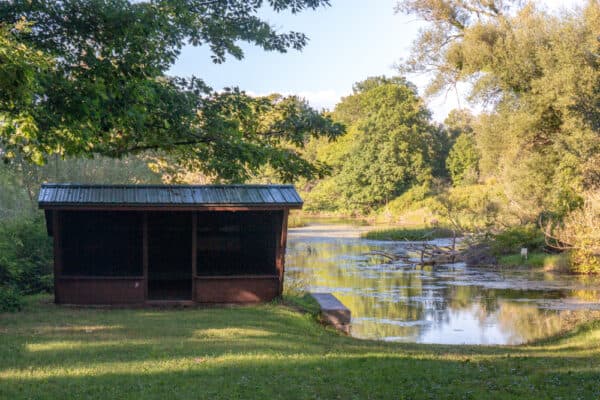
pixel 185 196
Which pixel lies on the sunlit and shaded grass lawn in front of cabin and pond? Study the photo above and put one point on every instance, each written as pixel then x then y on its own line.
pixel 266 352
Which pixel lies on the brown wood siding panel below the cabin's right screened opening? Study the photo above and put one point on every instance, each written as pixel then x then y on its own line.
pixel 236 289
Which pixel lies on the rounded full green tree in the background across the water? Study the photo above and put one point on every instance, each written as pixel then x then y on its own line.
pixel 389 146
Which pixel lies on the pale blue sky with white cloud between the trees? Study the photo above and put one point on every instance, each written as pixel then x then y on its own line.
pixel 348 42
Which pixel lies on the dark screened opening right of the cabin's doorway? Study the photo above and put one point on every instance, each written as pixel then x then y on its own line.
pixel 238 243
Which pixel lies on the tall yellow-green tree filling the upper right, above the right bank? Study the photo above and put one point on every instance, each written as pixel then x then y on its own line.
pixel 539 75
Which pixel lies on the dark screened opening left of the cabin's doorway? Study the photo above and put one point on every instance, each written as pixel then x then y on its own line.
pixel 101 243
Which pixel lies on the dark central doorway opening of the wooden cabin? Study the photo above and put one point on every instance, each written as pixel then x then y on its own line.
pixel 170 256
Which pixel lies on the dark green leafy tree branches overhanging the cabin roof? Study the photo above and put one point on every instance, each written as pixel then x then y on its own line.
pixel 94 82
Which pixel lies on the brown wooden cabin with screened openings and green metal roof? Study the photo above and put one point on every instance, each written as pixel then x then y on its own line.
pixel 134 244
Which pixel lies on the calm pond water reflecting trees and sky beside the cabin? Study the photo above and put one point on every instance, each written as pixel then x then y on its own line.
pixel 450 304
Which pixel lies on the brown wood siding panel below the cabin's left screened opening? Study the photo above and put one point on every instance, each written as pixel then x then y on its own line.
pixel 100 291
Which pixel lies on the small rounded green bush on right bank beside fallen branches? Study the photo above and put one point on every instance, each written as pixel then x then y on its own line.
pixel 511 240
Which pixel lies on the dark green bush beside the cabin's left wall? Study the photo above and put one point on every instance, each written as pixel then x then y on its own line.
pixel 26 255
